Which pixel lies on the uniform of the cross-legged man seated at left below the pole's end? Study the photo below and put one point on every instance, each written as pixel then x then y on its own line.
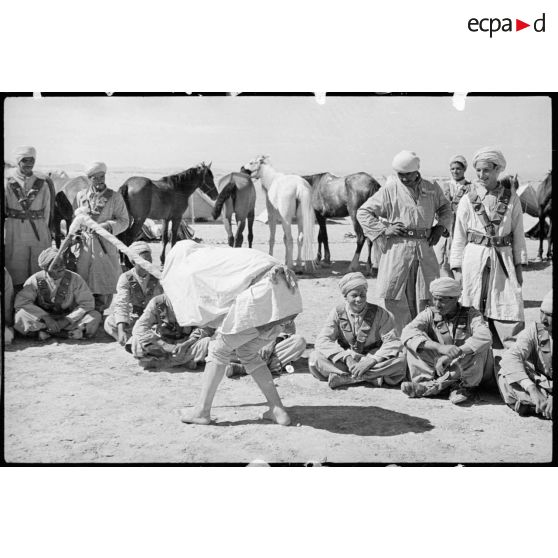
pixel 77 305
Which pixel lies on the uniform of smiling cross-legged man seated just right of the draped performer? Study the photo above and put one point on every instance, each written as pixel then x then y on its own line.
pixel 381 346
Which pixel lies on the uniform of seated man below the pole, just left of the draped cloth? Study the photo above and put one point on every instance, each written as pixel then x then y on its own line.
pixel 132 295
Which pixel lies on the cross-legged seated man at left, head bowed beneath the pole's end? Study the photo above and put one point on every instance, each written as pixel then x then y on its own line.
pixel 55 302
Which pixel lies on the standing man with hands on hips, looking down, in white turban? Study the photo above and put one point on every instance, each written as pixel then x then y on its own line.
pixel 408 263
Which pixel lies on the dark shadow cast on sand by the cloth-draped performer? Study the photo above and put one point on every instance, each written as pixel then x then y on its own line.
pixel 351 419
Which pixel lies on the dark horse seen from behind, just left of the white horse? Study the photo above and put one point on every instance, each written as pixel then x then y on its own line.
pixel 238 194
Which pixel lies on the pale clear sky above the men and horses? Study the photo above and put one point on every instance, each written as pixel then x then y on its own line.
pixel 344 135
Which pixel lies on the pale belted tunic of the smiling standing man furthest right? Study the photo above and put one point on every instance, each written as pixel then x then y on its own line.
pixel 504 300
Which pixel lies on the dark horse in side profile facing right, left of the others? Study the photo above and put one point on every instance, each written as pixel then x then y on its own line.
pixel 165 199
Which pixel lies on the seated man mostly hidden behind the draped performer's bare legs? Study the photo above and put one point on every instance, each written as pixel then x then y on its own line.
pixel 278 353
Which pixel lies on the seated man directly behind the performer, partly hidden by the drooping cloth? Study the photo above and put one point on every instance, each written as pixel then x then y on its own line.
pixel 158 341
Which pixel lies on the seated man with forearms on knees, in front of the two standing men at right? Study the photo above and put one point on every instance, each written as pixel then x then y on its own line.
pixel 448 346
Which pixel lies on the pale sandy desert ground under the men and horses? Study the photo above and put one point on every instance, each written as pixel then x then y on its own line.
pixel 89 402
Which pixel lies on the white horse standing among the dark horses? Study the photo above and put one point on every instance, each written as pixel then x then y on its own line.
pixel 287 195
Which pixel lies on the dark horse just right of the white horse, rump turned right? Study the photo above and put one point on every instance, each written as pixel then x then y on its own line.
pixel 336 196
